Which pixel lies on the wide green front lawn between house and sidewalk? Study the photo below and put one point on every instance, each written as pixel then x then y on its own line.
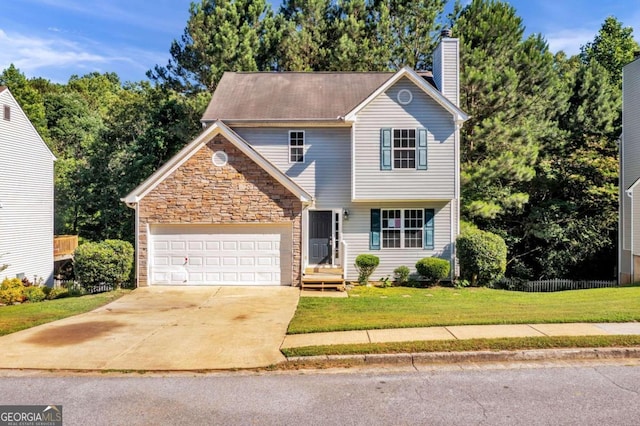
pixel 395 307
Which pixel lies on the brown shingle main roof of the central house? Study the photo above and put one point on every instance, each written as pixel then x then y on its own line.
pixel 291 95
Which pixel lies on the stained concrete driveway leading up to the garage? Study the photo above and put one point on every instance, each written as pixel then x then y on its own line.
pixel 163 328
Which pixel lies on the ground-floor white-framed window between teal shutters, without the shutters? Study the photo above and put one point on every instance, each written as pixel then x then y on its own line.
pixel 402 228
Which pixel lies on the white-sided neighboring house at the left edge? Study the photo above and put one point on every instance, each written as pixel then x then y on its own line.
pixel 26 196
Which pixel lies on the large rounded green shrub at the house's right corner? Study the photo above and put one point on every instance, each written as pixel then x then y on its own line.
pixel 482 256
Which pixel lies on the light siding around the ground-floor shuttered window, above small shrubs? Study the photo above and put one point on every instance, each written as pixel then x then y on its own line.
pixel 356 234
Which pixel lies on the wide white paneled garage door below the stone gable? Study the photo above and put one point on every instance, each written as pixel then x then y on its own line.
pixel 220 254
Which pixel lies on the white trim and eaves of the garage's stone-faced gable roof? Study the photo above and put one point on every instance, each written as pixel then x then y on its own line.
pixel 188 151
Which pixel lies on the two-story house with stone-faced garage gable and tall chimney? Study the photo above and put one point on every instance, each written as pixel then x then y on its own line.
pixel 299 170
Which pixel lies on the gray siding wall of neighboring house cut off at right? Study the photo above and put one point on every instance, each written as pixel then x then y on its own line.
pixel 630 167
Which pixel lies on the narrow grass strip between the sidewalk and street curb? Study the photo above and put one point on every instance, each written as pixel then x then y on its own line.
pixel 500 344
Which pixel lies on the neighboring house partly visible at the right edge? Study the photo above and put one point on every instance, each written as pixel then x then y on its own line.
pixel 629 206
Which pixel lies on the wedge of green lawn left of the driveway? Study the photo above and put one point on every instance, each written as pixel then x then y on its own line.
pixel 18 317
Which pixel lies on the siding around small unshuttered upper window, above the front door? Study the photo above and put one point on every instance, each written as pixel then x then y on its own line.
pixel 326 171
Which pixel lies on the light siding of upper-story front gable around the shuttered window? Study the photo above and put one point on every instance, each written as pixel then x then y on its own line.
pixel 437 182
